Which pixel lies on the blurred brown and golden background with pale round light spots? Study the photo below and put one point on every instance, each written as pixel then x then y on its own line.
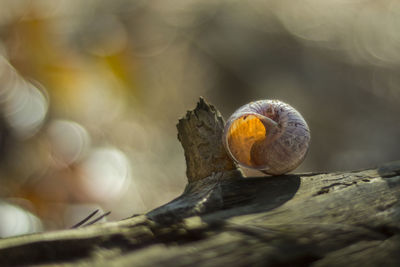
pixel 91 91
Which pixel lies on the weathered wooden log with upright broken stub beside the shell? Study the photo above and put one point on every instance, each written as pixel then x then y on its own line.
pixel 315 219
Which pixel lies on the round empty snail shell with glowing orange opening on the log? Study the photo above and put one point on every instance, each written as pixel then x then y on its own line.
pixel 267 135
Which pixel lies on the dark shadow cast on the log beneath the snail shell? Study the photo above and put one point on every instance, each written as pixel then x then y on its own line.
pixel 231 197
